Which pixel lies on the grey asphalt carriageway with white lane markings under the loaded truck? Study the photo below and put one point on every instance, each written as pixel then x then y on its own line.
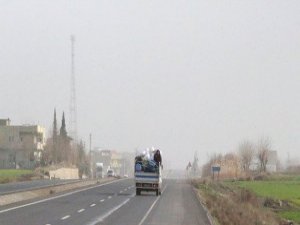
pixel 114 203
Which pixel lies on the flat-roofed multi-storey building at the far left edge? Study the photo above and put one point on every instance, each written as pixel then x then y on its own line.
pixel 20 146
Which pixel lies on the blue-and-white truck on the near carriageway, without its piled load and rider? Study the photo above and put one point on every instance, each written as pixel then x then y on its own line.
pixel 147 180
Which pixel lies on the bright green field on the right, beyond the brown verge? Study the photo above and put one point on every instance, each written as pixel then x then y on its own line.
pixel 282 189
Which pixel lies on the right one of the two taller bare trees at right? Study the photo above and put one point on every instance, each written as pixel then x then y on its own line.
pixel 263 148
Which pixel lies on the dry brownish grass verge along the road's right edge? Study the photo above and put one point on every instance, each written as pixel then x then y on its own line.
pixel 229 206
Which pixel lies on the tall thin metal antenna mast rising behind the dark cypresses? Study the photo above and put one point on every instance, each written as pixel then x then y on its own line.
pixel 73 106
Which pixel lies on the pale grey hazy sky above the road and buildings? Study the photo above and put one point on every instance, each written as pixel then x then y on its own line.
pixel 183 76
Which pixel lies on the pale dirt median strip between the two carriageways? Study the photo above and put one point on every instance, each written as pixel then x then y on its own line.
pixel 48 191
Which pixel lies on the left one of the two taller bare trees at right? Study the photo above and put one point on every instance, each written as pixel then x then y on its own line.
pixel 246 152
